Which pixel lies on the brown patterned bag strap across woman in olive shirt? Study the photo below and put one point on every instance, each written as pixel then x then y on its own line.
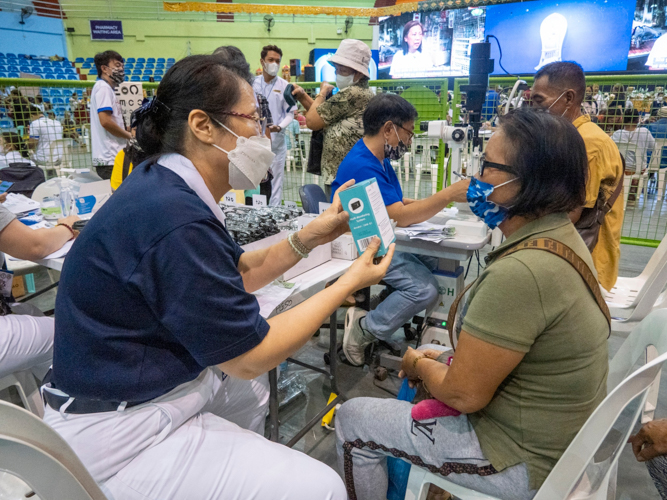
pixel 556 248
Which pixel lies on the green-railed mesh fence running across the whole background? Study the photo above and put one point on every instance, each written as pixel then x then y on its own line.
pixel 629 108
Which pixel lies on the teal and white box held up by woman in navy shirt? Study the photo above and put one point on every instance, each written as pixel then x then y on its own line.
pixel 368 215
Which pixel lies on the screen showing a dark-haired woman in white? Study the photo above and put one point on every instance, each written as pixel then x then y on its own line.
pixel 429 44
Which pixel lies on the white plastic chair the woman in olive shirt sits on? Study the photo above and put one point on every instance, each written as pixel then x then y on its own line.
pixel 576 475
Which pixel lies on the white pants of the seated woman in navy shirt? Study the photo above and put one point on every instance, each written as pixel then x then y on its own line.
pixel 189 445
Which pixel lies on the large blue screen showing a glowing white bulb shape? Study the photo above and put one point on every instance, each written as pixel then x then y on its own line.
pixel 594 33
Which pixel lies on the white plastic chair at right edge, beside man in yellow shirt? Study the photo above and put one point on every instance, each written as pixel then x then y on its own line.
pixel 631 299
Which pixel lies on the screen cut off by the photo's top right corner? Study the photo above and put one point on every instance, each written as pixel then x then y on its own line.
pixel 648 42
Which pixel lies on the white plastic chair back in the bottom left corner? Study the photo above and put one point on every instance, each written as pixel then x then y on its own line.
pixel 32 451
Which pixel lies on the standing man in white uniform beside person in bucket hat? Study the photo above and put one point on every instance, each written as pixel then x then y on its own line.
pixel 272 87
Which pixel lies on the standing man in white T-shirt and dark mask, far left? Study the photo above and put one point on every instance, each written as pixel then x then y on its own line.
pixel 107 129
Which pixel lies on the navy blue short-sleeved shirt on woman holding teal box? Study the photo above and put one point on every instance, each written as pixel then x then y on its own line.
pixel 150 294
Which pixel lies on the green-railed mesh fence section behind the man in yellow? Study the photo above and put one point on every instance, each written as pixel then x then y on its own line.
pixel 628 109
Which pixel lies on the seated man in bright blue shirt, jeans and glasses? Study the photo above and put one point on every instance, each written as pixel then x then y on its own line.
pixel 388 124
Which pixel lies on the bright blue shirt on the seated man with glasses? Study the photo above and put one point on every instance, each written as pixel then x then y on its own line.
pixel 360 164
